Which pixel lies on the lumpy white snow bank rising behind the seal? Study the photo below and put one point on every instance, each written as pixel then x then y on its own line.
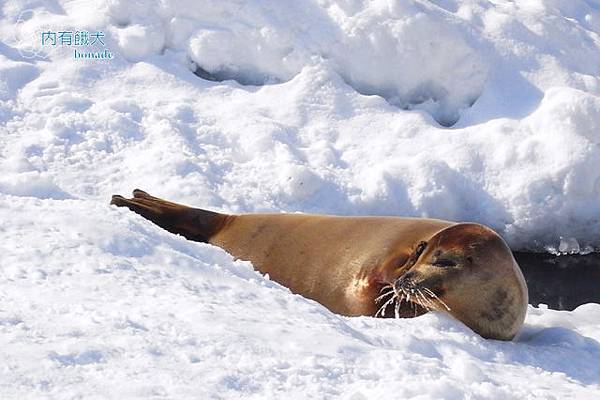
pixel 323 106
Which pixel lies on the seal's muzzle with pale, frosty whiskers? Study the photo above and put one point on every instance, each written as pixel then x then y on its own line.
pixel 405 289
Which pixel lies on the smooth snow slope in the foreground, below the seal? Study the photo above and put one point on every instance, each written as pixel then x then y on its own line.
pixel 97 302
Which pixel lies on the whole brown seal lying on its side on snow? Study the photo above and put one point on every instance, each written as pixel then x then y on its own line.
pixel 374 266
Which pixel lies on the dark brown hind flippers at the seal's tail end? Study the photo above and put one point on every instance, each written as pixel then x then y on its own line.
pixel 192 223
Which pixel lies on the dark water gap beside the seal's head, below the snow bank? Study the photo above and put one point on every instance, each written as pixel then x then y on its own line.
pixel 561 282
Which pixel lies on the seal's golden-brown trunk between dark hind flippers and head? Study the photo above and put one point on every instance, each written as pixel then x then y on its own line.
pixel 341 262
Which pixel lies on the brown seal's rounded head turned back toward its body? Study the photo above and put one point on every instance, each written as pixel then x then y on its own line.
pixel 468 271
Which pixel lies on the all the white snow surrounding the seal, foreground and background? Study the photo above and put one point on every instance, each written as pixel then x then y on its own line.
pixel 485 111
